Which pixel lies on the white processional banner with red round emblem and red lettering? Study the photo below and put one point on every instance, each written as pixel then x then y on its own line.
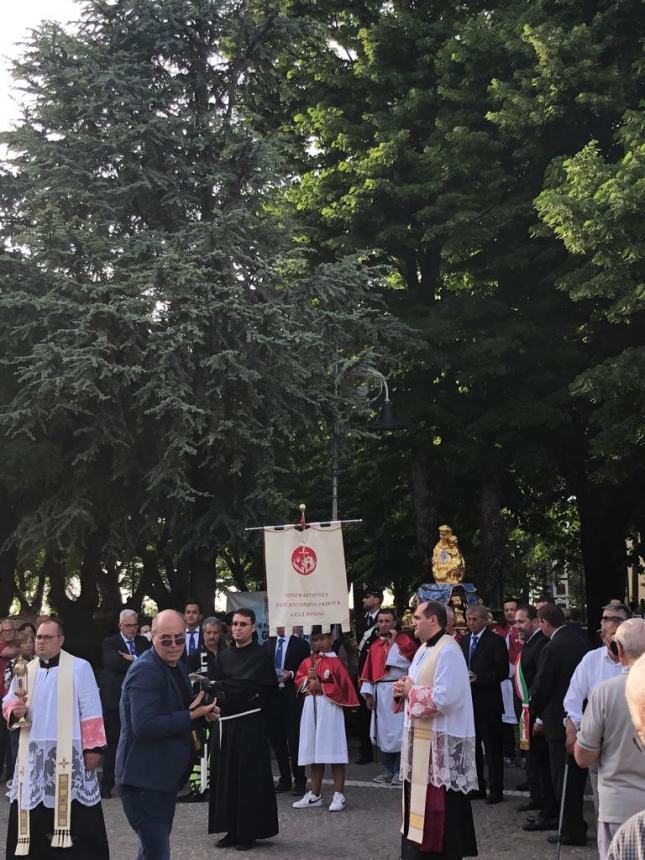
pixel 306 579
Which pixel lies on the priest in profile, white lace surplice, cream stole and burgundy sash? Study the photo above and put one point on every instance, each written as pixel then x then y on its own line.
pixel 438 751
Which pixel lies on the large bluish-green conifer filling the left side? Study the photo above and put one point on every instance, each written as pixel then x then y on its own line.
pixel 163 340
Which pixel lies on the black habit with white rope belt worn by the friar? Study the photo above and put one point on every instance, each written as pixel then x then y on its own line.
pixel 242 796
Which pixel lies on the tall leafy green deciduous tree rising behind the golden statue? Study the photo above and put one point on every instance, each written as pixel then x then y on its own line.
pixel 431 127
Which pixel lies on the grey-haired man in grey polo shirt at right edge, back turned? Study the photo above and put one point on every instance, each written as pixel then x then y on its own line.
pixel 606 737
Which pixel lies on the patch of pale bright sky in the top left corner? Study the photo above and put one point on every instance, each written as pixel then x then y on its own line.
pixel 17 18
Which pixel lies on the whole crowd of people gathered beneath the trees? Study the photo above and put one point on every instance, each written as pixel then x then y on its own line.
pixel 445 709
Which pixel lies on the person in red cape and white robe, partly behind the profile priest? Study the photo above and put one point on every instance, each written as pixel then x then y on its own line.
pixel 388 659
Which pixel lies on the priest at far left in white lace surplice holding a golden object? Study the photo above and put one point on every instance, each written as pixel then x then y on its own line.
pixel 55 800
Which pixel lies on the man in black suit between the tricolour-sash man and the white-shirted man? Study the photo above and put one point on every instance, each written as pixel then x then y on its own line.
pixel 559 659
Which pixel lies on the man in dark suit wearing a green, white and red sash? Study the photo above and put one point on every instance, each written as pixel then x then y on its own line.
pixel 538 775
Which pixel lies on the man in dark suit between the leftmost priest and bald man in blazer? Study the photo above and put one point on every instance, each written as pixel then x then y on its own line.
pixel 118 652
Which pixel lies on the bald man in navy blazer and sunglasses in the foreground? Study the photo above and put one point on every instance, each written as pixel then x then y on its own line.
pixel 155 747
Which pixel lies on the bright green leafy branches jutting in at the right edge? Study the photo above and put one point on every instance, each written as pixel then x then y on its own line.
pixel 595 206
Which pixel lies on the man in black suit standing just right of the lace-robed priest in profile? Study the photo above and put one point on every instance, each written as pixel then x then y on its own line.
pixel 487 658
